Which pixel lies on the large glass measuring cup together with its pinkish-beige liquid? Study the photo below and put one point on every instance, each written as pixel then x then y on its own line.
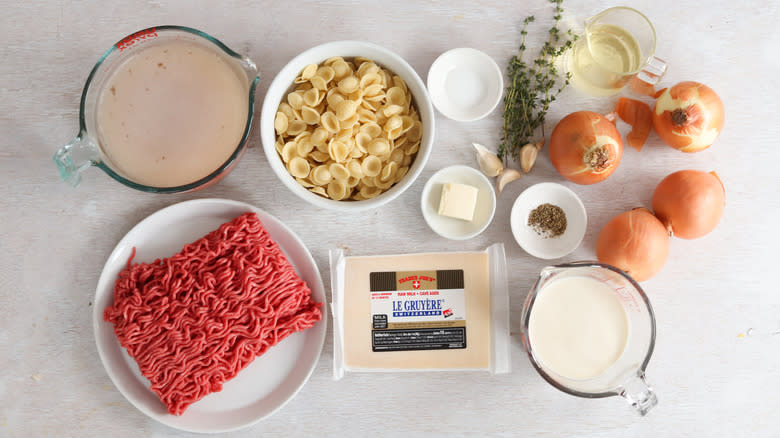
pixel 166 109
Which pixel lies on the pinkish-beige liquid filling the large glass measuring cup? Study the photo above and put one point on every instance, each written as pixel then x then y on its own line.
pixel 172 113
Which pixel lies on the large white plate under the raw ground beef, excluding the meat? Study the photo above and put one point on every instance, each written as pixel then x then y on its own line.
pixel 261 388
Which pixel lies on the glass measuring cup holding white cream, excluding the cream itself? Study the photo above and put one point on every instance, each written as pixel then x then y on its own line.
pixel 625 376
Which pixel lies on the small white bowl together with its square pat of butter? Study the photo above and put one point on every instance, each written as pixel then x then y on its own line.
pixel 446 209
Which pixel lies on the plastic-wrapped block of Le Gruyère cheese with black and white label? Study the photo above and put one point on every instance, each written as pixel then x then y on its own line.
pixel 445 311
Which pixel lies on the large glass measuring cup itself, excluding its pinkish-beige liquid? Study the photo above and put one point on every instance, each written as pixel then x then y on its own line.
pixel 88 149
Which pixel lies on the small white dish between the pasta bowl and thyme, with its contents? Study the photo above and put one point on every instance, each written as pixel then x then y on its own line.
pixel 465 84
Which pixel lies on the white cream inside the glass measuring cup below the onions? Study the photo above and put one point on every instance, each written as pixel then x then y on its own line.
pixel 578 327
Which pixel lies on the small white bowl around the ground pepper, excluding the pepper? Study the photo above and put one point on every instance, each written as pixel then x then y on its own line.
pixel 548 247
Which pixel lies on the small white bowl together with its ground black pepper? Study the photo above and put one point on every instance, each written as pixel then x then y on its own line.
pixel 548 220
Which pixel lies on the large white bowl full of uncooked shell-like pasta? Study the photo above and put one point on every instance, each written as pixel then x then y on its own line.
pixel 347 125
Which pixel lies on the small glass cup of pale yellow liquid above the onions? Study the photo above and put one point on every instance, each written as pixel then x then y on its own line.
pixel 619 44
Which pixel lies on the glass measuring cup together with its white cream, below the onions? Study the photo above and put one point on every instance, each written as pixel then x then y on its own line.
pixel 589 330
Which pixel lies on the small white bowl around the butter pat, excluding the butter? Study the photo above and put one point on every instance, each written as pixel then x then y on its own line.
pixel 452 228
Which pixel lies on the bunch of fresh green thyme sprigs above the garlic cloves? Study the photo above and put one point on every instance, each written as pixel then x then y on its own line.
pixel 532 87
